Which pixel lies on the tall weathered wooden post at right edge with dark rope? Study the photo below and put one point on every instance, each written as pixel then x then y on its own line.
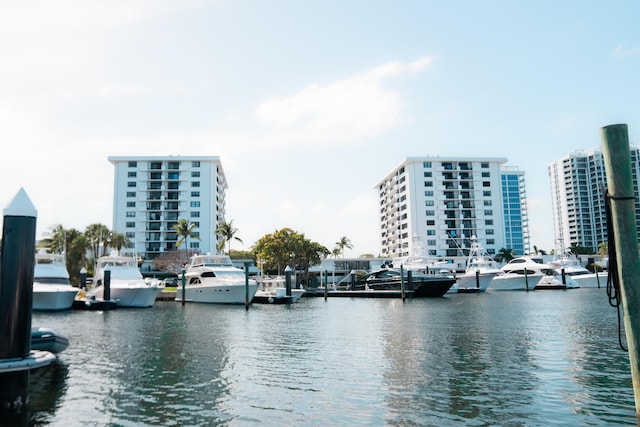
pixel 617 162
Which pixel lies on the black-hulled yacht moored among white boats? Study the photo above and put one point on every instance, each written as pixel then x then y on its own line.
pixel 422 285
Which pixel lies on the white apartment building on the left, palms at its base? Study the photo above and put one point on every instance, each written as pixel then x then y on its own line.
pixel 152 193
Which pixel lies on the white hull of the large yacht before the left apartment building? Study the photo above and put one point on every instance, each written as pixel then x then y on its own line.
pixel 217 294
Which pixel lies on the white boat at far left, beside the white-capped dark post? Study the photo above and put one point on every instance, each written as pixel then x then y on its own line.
pixel 52 290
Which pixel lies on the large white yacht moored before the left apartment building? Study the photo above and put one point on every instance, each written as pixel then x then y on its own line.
pixel 214 279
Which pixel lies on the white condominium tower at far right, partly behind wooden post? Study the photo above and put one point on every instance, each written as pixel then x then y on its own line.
pixel 578 184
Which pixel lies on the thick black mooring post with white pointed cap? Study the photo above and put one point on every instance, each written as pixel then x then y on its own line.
pixel 17 258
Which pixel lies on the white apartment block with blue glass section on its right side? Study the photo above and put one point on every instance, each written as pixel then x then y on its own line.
pixel 432 206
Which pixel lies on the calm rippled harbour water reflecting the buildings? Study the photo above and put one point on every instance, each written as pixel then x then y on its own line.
pixel 503 358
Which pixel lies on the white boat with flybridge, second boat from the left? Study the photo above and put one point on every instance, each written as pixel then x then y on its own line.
pixel 127 286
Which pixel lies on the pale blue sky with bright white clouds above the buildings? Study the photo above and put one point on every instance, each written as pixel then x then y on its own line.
pixel 308 103
